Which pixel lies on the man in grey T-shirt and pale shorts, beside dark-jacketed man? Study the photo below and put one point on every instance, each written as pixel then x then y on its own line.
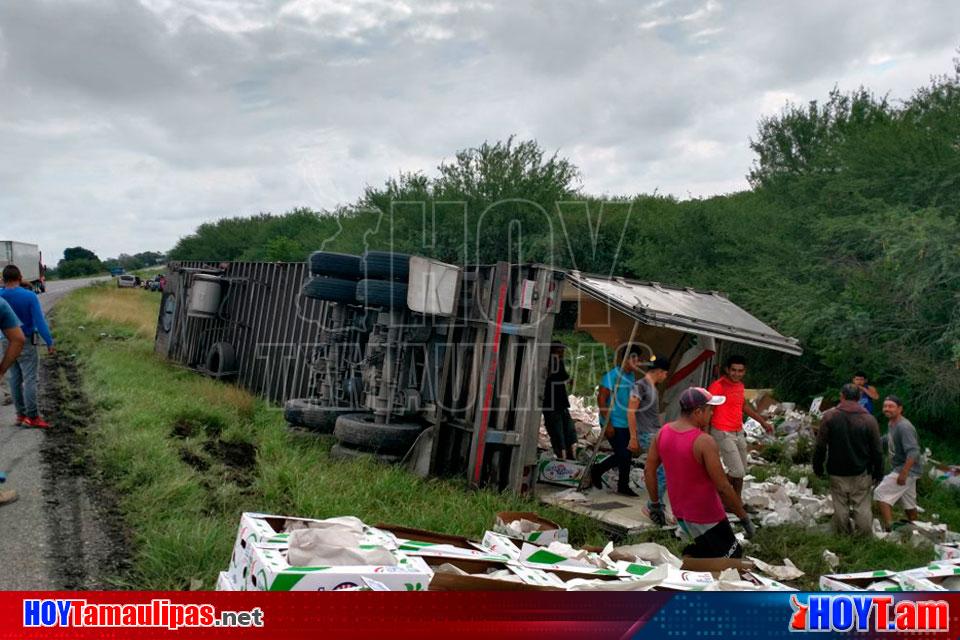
pixel 900 485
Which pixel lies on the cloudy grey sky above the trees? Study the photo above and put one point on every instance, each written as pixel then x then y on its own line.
pixel 125 123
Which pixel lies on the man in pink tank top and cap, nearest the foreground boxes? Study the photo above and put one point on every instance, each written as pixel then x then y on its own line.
pixel 696 483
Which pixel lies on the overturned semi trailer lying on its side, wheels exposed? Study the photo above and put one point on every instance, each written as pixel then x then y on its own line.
pixel 408 358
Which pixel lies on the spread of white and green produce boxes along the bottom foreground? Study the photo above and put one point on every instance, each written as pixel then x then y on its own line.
pixel 523 552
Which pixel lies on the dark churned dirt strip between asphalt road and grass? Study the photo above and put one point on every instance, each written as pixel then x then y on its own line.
pixel 87 538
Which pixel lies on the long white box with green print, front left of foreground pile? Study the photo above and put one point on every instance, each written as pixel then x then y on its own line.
pixel 269 571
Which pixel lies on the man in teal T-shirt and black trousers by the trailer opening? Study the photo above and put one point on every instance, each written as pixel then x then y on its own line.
pixel 613 400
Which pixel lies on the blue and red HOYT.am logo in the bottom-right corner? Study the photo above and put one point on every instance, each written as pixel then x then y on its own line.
pixel 868 612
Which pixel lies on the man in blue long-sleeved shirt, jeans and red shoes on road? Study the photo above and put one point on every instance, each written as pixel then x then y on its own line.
pixel 23 374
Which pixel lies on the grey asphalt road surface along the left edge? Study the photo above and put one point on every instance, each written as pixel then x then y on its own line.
pixel 28 537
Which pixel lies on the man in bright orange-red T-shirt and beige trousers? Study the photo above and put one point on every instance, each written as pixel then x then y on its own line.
pixel 726 426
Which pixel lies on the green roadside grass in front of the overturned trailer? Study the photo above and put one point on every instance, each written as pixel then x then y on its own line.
pixel 152 418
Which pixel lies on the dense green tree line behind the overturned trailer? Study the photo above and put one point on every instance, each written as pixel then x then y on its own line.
pixel 849 237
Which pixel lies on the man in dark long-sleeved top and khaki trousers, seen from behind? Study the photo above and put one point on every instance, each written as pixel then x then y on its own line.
pixel 849 441
